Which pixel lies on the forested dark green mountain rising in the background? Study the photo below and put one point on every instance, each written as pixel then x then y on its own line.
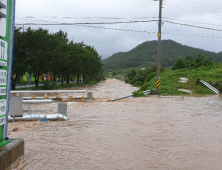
pixel 145 54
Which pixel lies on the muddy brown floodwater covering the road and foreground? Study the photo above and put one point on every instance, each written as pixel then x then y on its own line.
pixel 150 133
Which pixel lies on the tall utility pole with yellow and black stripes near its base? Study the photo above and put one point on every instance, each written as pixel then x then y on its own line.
pixel 159 48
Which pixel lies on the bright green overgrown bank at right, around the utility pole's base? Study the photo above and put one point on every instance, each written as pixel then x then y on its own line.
pixel 170 80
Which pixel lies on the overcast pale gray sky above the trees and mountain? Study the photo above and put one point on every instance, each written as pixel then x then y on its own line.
pixel 202 13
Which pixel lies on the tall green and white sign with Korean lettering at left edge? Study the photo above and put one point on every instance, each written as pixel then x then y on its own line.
pixel 7 18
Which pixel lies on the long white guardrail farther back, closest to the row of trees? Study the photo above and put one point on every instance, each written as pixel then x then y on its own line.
pixel 50 91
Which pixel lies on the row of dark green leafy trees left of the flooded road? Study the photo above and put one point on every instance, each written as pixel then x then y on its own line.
pixel 37 52
